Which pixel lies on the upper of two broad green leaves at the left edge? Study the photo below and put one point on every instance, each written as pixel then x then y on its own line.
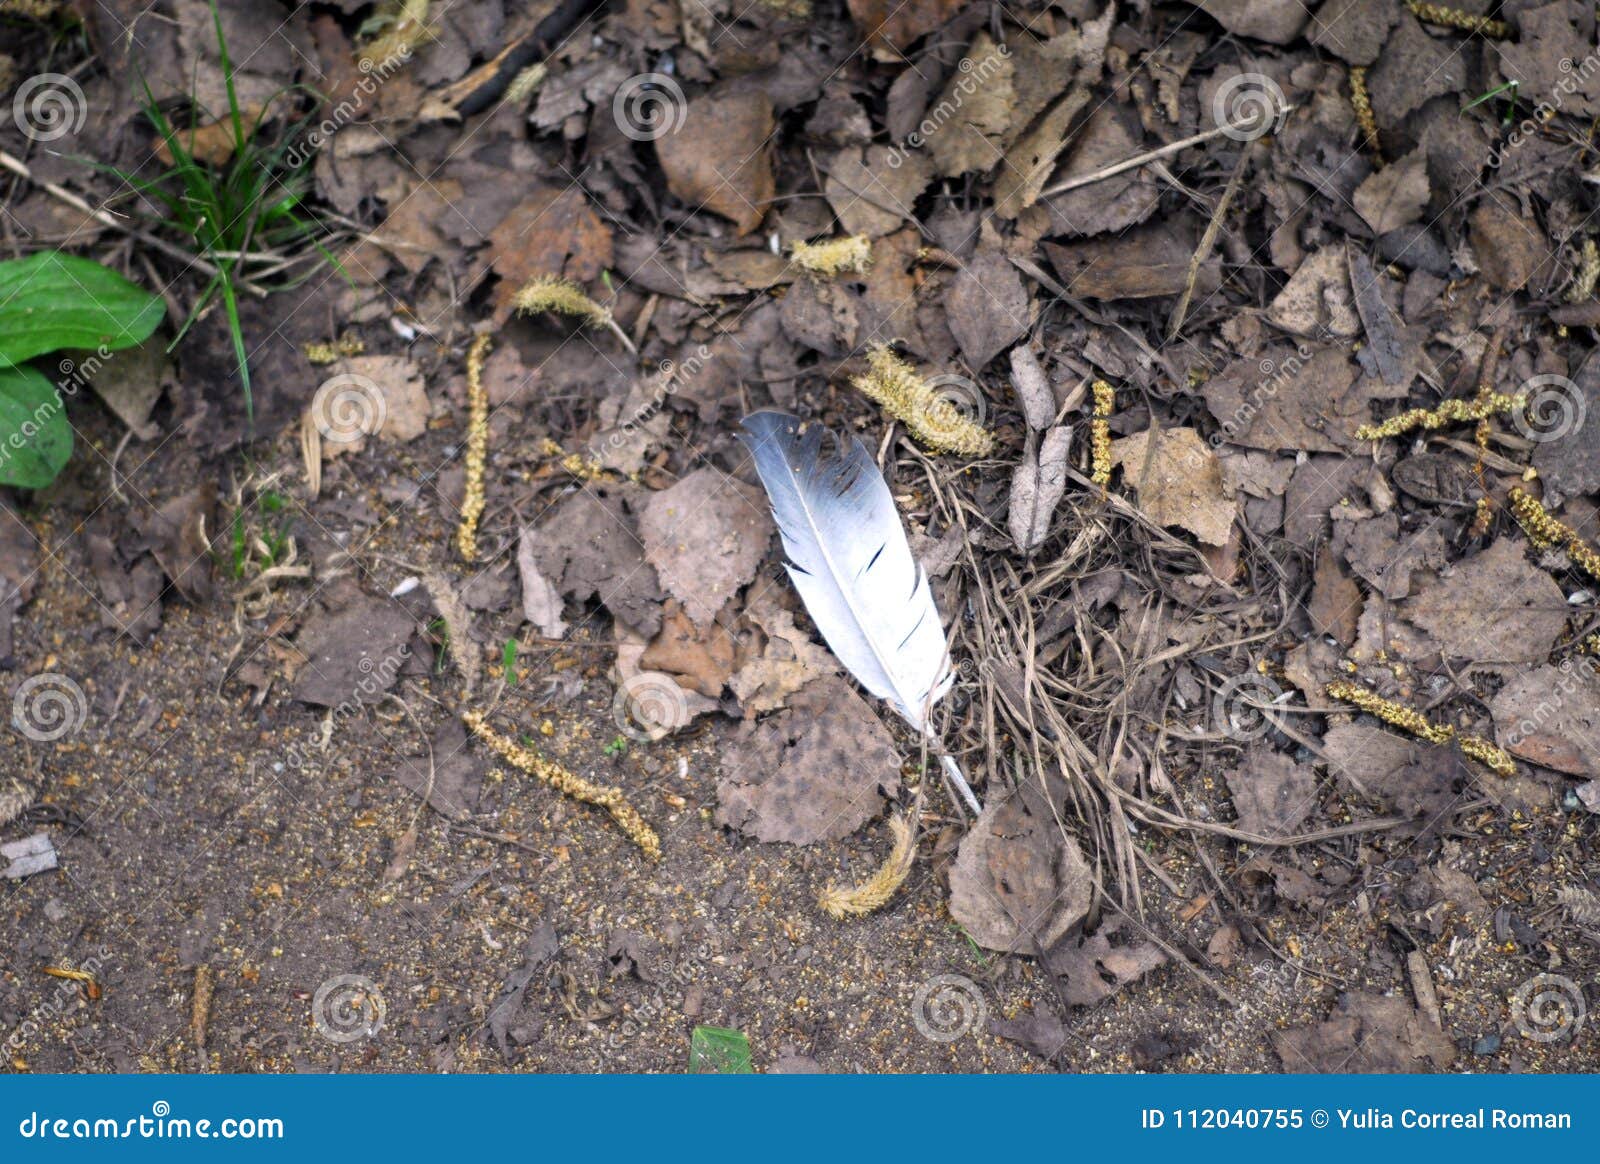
pixel 50 301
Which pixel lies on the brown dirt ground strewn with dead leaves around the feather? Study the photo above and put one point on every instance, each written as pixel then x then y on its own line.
pixel 238 650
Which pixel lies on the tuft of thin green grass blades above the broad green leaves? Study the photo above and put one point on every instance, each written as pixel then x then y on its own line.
pixel 244 215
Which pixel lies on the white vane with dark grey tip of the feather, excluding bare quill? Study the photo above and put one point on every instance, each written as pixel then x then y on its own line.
pixel 852 564
